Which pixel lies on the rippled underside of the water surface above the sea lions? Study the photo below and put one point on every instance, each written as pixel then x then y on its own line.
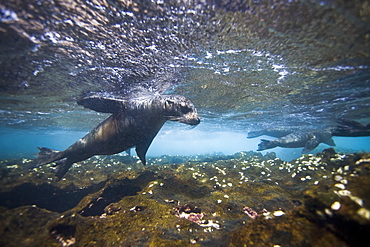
pixel 244 64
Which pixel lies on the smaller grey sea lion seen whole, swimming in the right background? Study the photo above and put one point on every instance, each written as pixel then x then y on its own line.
pixel 308 139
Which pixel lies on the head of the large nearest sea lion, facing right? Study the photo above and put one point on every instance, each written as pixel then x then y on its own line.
pixel 179 108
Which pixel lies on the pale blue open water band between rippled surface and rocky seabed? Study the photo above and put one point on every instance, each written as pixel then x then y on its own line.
pixel 18 143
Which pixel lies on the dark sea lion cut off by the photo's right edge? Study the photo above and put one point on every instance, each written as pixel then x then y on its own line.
pixel 351 128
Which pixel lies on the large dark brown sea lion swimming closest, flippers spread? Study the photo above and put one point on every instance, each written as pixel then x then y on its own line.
pixel 133 123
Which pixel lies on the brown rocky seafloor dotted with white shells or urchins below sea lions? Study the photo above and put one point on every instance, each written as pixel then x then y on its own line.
pixel 245 199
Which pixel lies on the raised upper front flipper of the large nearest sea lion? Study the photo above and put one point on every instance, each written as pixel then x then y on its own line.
pixel 101 103
